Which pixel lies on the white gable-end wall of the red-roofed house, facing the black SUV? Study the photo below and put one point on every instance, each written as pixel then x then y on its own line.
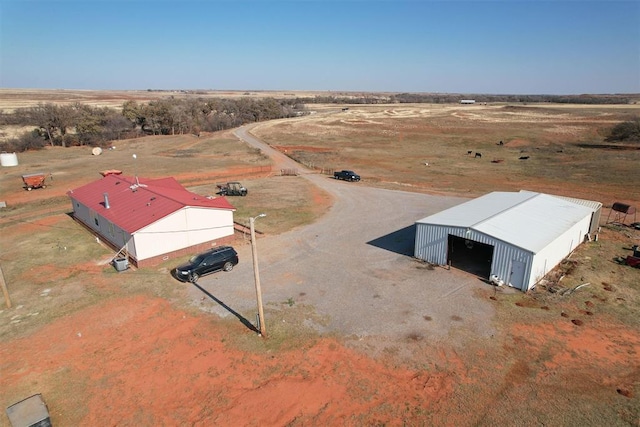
pixel 186 227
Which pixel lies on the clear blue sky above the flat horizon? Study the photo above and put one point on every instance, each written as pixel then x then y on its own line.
pixel 491 47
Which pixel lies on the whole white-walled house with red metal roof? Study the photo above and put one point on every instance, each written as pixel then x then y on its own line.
pixel 151 220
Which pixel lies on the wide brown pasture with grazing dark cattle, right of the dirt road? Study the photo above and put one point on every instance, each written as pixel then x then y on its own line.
pixel 424 148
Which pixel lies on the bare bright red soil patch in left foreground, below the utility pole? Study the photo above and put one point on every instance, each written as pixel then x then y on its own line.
pixel 139 361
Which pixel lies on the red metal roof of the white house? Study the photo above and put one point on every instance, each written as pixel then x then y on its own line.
pixel 135 203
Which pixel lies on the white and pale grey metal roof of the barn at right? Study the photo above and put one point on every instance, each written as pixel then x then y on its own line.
pixel 525 219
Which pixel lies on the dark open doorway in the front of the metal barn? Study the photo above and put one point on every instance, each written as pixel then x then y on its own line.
pixel 470 256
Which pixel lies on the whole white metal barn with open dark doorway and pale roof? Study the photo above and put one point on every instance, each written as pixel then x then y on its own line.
pixel 518 237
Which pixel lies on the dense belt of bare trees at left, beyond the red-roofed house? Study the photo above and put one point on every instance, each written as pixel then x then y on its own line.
pixel 80 124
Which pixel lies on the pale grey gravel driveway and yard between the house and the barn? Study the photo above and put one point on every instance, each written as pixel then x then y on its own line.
pixel 355 266
